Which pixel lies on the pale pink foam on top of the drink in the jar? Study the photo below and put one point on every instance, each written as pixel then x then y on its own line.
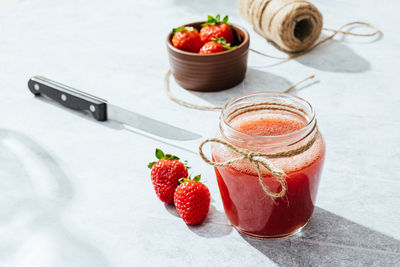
pixel 271 123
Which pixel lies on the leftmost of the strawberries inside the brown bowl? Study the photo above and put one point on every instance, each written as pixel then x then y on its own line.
pixel 187 39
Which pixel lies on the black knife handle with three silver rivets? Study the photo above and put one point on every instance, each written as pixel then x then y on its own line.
pixel 69 97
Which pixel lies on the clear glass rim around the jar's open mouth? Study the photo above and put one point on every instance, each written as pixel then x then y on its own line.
pixel 310 118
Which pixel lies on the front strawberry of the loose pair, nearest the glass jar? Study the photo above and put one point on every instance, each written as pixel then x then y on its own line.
pixel 192 200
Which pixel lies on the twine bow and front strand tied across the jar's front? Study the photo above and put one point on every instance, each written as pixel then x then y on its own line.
pixel 258 158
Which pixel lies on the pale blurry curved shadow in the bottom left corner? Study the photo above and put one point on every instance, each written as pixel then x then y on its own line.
pixel 34 191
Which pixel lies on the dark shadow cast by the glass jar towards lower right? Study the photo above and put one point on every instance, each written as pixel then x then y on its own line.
pixel 331 240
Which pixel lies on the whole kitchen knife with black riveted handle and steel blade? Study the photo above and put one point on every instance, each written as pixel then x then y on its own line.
pixel 103 111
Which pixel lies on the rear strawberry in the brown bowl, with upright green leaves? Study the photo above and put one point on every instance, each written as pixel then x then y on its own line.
pixel 214 28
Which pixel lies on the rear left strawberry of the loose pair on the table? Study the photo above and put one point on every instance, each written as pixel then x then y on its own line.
pixel 165 174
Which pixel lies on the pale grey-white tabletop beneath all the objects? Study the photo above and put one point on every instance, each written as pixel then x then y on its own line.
pixel 74 192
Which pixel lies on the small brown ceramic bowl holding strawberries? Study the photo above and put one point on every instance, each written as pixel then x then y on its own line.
pixel 212 72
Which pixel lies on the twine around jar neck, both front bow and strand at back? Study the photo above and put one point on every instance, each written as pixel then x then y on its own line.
pixel 258 158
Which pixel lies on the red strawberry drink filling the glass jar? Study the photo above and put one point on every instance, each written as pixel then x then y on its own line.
pixel 248 207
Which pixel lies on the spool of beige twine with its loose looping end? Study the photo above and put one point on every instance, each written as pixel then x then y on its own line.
pixel 291 25
